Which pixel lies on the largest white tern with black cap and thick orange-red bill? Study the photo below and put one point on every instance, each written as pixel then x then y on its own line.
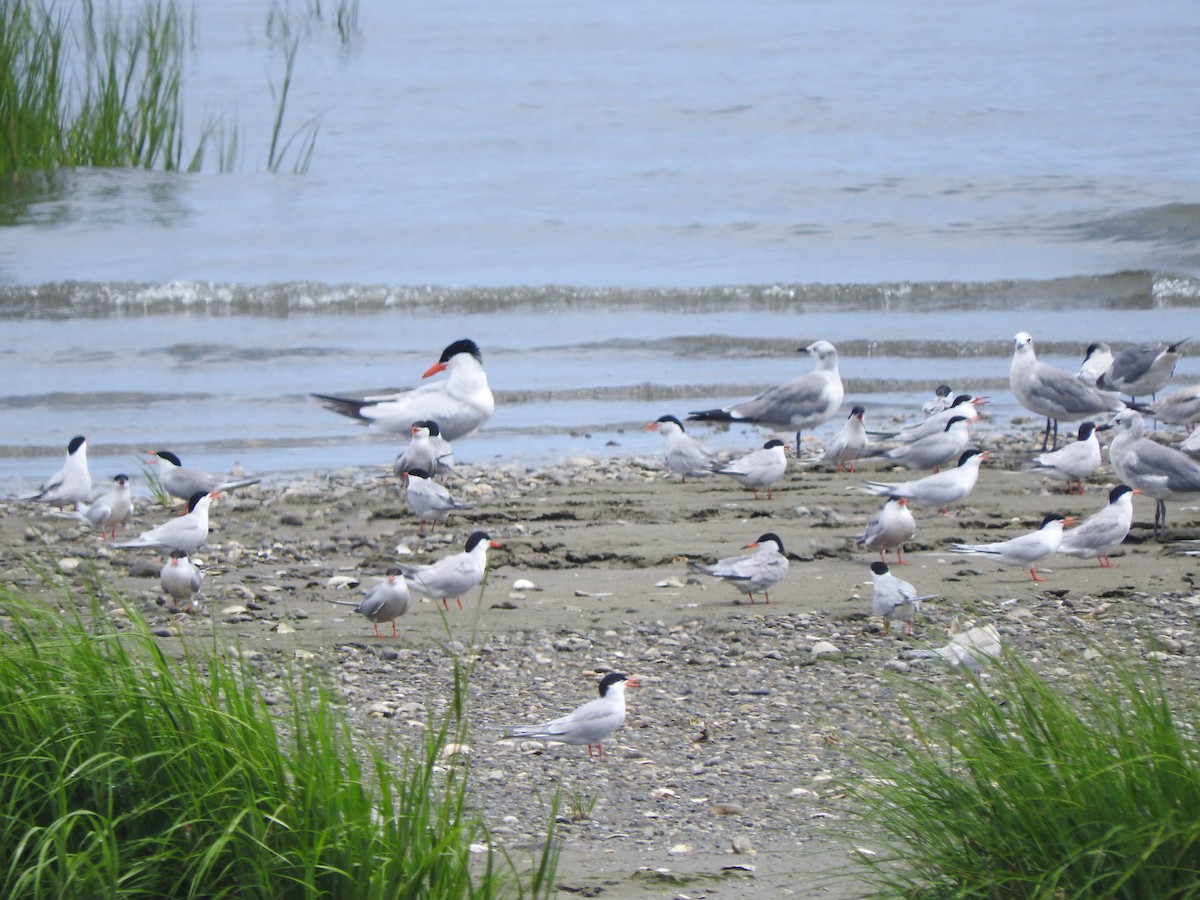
pixel 460 405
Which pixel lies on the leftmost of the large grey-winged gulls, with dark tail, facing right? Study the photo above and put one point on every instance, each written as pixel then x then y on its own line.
pixel 805 403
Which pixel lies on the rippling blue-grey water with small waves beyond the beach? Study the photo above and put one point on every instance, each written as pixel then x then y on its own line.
pixel 717 183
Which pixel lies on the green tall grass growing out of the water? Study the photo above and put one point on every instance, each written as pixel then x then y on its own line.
pixel 81 87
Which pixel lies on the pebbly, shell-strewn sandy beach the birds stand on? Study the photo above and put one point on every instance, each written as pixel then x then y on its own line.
pixel 724 781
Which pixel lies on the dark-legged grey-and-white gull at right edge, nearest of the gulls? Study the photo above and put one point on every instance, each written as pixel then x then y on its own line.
pixel 1157 471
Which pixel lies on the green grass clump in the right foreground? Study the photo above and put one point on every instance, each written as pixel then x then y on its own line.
pixel 1023 789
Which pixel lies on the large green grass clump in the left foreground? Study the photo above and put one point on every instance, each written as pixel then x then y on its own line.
pixel 128 775
